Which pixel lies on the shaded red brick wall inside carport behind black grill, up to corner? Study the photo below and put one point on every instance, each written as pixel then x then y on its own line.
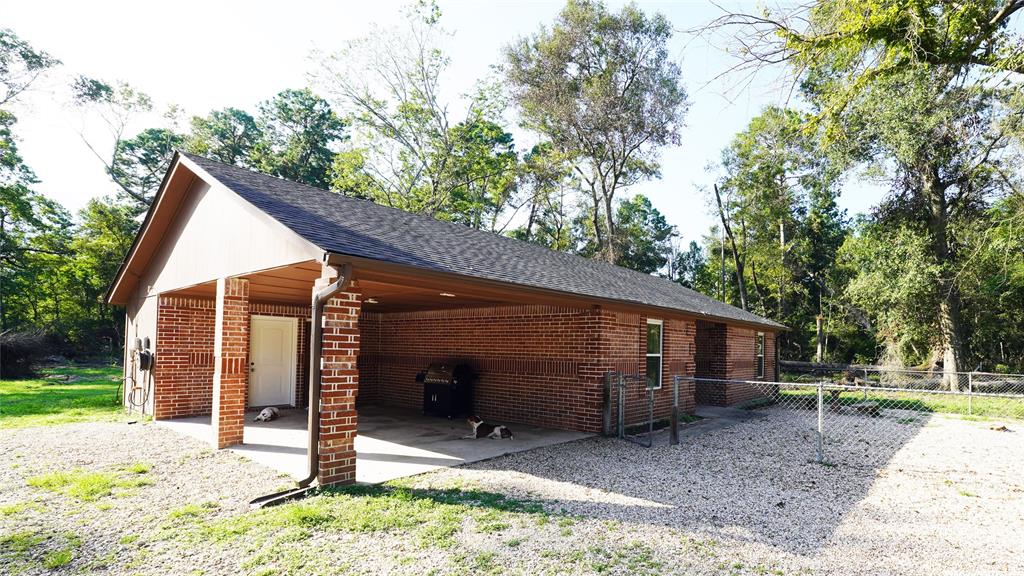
pixel 529 359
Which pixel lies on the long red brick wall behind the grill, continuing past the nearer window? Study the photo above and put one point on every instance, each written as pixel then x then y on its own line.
pixel 538 365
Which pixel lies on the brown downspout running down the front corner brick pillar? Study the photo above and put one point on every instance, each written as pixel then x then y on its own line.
pixel 320 300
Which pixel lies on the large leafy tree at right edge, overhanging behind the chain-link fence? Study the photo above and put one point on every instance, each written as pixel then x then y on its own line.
pixel 917 96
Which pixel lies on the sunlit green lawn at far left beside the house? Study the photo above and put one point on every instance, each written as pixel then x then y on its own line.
pixel 90 396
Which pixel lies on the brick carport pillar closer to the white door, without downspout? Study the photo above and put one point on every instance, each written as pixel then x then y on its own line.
pixel 231 351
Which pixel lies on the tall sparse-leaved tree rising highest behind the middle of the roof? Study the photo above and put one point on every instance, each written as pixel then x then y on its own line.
pixel 602 88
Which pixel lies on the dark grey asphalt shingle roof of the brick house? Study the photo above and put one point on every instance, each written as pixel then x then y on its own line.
pixel 359 228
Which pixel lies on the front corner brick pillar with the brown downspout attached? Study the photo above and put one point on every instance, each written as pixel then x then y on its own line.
pixel 339 387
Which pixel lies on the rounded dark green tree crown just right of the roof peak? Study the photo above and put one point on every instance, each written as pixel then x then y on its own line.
pixel 301 135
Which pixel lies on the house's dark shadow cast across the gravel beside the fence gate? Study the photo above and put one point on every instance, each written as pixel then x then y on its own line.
pixel 751 481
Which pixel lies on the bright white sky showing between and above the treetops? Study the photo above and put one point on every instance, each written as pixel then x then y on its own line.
pixel 203 56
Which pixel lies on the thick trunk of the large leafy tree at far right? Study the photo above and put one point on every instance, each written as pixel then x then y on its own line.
pixel 951 323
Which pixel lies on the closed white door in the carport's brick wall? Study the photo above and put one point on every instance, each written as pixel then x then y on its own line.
pixel 272 361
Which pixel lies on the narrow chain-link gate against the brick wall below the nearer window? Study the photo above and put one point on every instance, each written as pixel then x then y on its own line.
pixel 629 408
